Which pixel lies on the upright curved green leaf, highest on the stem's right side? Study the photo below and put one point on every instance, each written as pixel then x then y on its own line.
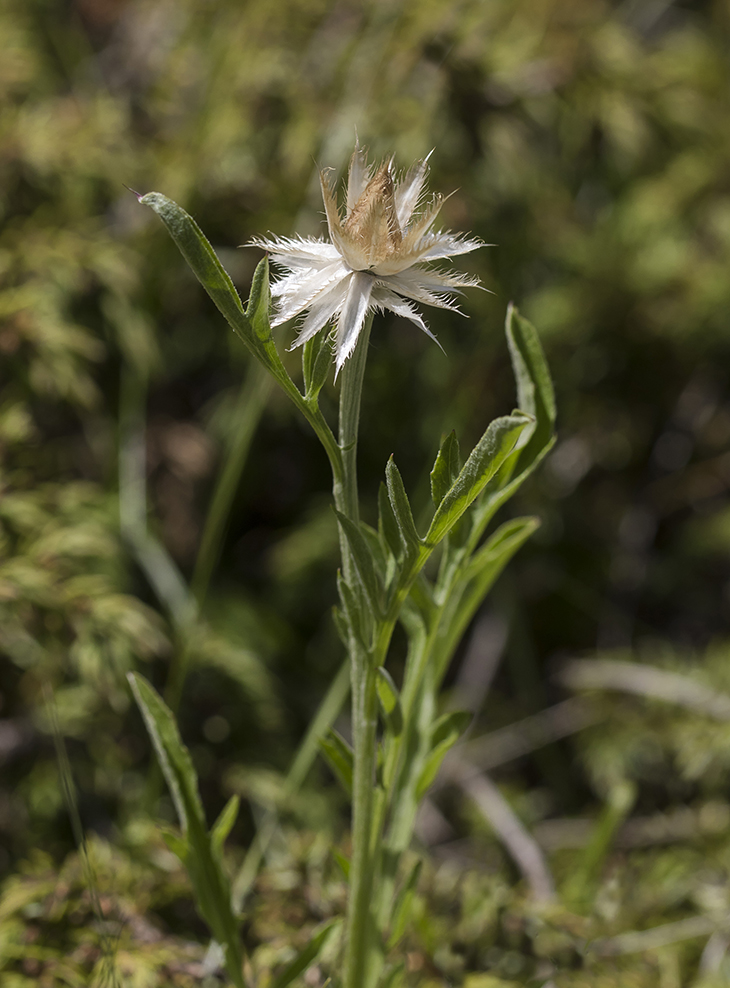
pixel 535 394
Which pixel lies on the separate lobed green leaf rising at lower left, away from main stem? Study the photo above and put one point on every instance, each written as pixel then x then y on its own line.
pixel 200 852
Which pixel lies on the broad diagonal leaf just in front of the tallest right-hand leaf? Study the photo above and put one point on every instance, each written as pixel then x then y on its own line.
pixel 484 461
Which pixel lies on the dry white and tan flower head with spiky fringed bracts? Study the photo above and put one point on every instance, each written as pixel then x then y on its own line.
pixel 373 260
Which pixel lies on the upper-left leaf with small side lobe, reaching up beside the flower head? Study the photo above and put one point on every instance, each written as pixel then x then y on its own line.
pixel 211 274
